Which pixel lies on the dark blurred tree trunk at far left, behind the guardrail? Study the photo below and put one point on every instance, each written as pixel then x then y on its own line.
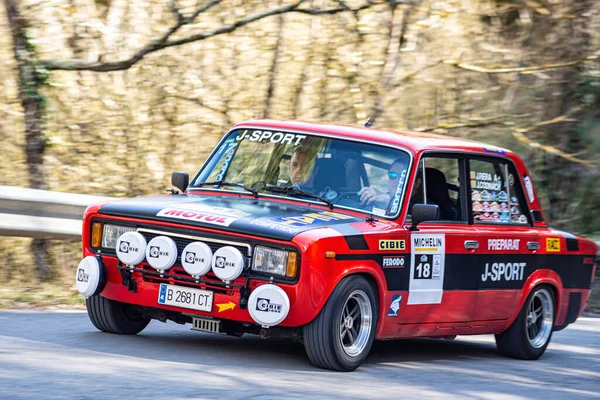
pixel 32 102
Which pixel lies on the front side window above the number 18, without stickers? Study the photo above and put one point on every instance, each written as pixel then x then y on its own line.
pixel 438 181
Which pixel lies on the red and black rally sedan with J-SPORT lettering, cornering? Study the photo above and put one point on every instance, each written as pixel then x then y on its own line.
pixel 336 236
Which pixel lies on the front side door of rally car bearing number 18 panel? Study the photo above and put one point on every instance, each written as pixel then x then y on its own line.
pixel 442 287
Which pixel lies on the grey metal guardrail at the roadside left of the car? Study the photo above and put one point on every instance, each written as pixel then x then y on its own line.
pixel 43 214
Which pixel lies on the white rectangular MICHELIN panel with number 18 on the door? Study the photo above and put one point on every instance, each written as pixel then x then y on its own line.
pixel 427 256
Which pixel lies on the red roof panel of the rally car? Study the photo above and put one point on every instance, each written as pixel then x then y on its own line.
pixel 411 140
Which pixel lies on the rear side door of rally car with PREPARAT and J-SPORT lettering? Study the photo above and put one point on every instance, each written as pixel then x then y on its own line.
pixel 508 243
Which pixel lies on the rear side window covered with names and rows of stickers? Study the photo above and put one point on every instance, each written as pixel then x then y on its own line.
pixel 496 194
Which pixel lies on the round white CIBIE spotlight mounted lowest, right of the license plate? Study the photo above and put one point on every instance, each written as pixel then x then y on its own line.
pixel 268 305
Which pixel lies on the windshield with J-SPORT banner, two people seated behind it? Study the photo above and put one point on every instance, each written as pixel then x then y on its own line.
pixel 349 174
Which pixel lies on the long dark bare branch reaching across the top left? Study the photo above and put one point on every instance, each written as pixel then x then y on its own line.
pixel 163 41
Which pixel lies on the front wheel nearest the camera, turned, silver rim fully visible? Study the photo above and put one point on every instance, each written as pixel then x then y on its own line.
pixel 329 343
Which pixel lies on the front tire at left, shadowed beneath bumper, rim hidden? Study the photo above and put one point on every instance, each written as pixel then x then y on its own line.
pixel 114 317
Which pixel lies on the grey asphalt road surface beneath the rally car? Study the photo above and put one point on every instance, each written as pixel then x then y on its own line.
pixel 47 355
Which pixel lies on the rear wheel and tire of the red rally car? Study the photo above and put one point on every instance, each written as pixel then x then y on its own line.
pixel 527 338
